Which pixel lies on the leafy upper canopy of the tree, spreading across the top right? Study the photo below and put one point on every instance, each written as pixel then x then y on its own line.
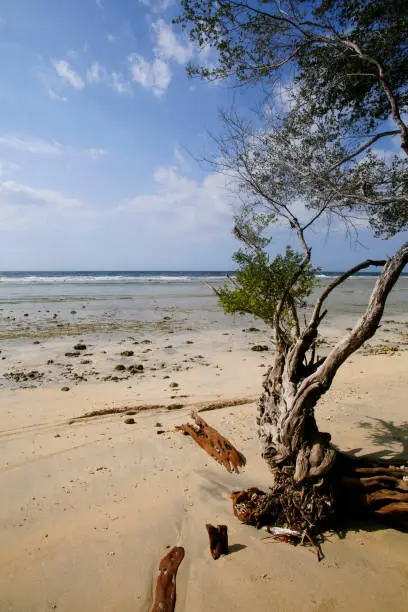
pixel 344 65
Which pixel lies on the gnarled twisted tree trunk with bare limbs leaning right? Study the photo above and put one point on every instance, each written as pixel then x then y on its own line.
pixel 291 442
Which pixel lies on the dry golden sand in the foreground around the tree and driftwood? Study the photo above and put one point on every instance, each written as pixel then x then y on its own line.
pixel 88 508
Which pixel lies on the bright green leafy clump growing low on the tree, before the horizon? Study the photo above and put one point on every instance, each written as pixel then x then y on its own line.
pixel 260 283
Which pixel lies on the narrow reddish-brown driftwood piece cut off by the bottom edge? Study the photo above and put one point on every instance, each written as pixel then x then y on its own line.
pixel 165 596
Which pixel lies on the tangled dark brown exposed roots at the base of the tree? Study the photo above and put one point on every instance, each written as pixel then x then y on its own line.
pixel 352 488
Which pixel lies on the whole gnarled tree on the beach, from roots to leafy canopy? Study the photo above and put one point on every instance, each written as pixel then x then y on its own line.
pixel 345 69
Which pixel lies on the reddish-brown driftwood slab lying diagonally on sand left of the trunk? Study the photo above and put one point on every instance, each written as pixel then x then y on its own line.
pixel 214 444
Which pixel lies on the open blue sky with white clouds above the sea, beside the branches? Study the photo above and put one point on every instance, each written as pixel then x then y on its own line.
pixel 97 117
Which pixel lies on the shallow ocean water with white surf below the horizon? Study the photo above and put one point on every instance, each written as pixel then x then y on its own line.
pixel 34 302
